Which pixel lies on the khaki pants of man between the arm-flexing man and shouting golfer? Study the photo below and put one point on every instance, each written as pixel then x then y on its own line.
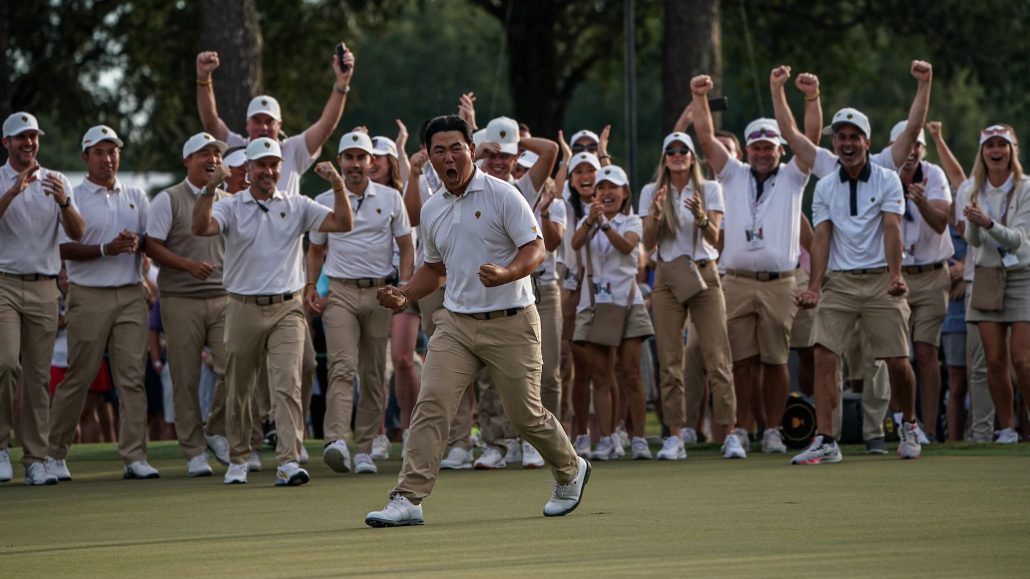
pixel 357 335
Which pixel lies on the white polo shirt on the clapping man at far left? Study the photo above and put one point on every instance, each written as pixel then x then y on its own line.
pixel 30 229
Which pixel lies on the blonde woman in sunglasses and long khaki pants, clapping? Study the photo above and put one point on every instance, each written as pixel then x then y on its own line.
pixel 682 214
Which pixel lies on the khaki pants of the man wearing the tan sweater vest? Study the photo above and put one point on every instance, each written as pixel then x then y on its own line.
pixel 192 324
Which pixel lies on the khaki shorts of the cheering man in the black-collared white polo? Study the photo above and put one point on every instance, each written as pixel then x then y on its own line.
pixel 848 297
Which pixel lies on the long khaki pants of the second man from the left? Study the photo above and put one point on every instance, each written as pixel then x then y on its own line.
pixel 99 319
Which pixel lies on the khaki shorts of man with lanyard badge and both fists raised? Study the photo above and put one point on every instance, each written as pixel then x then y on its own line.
pixel 759 318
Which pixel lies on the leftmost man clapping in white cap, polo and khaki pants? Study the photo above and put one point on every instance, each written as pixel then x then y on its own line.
pixel 38 210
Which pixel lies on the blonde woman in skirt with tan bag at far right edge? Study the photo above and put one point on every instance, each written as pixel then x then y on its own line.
pixel 998 219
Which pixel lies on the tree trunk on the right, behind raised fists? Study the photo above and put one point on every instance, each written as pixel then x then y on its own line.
pixel 693 45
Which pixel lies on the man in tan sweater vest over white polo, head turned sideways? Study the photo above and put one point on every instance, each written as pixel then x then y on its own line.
pixel 193 301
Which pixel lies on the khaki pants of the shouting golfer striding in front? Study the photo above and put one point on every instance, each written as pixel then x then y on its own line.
pixel 509 349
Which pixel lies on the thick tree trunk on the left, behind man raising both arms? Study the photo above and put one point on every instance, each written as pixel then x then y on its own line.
pixel 232 29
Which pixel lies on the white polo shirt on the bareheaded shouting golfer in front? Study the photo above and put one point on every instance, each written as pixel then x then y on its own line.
pixel 488 224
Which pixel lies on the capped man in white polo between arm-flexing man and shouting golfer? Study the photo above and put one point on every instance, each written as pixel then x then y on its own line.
pixel 360 262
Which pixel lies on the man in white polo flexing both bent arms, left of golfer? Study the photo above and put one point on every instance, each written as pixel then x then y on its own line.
pixel 264 275
